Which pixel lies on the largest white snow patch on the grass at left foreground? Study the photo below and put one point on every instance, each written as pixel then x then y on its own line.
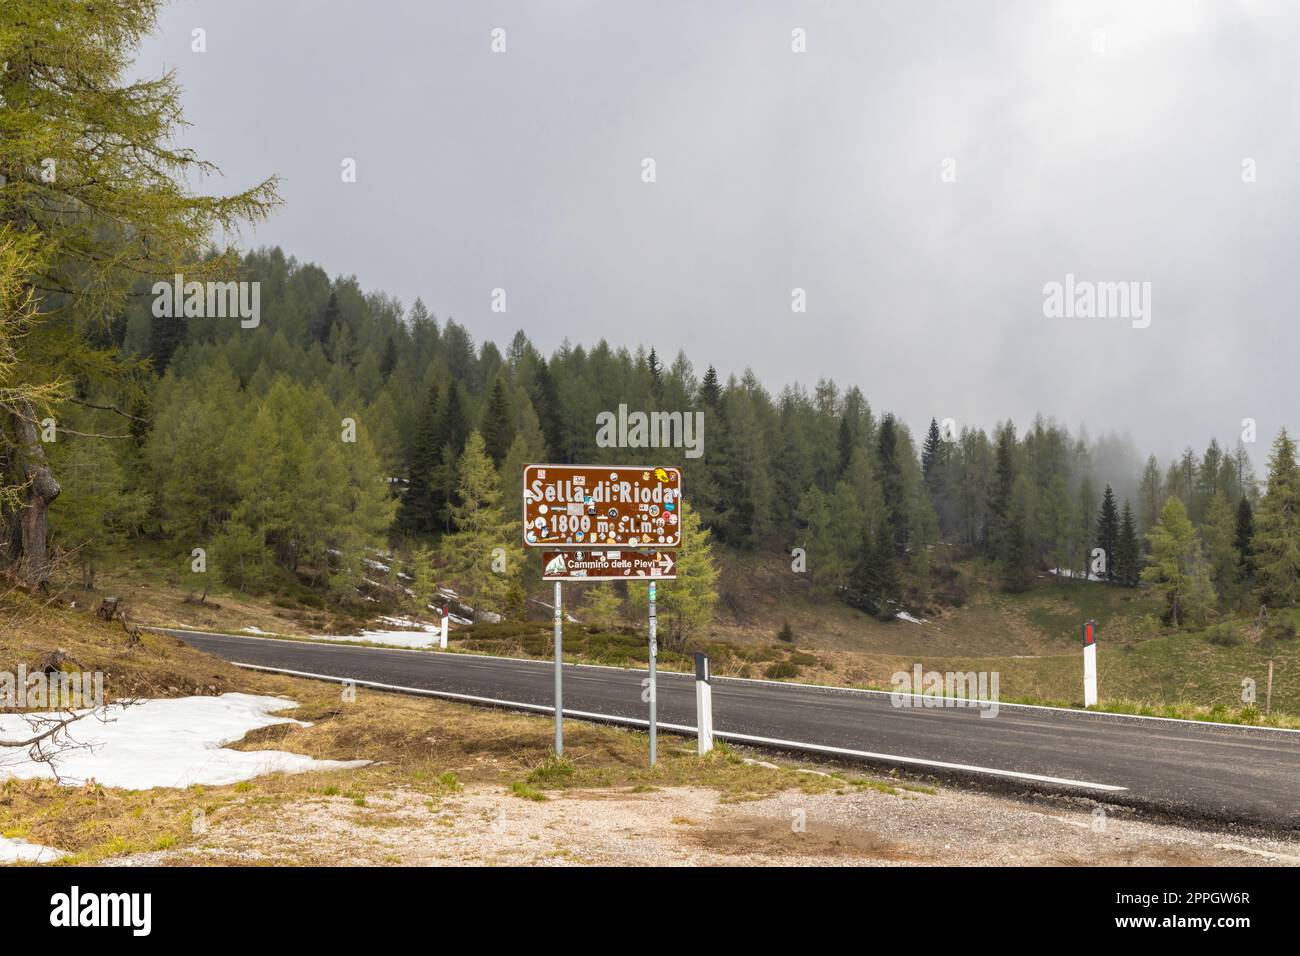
pixel 166 743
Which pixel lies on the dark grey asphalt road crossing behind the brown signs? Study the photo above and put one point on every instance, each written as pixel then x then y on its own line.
pixel 1220 773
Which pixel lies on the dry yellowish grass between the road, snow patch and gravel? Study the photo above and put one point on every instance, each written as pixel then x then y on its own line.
pixel 418 746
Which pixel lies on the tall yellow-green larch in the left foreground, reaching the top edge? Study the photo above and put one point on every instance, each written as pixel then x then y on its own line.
pixel 90 176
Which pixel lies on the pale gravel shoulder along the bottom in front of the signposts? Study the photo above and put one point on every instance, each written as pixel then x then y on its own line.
pixel 694 827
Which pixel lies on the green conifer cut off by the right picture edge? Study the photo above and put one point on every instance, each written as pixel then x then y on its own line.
pixel 1277 529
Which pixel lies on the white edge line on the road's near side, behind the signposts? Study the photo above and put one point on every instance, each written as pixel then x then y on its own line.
pixel 684 729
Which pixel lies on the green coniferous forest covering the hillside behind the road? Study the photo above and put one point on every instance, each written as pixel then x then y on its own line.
pixel 232 440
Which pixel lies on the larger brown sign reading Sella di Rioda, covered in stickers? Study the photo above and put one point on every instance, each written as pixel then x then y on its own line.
pixel 588 507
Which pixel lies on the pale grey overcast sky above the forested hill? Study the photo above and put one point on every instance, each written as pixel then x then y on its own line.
pixel 1091 139
